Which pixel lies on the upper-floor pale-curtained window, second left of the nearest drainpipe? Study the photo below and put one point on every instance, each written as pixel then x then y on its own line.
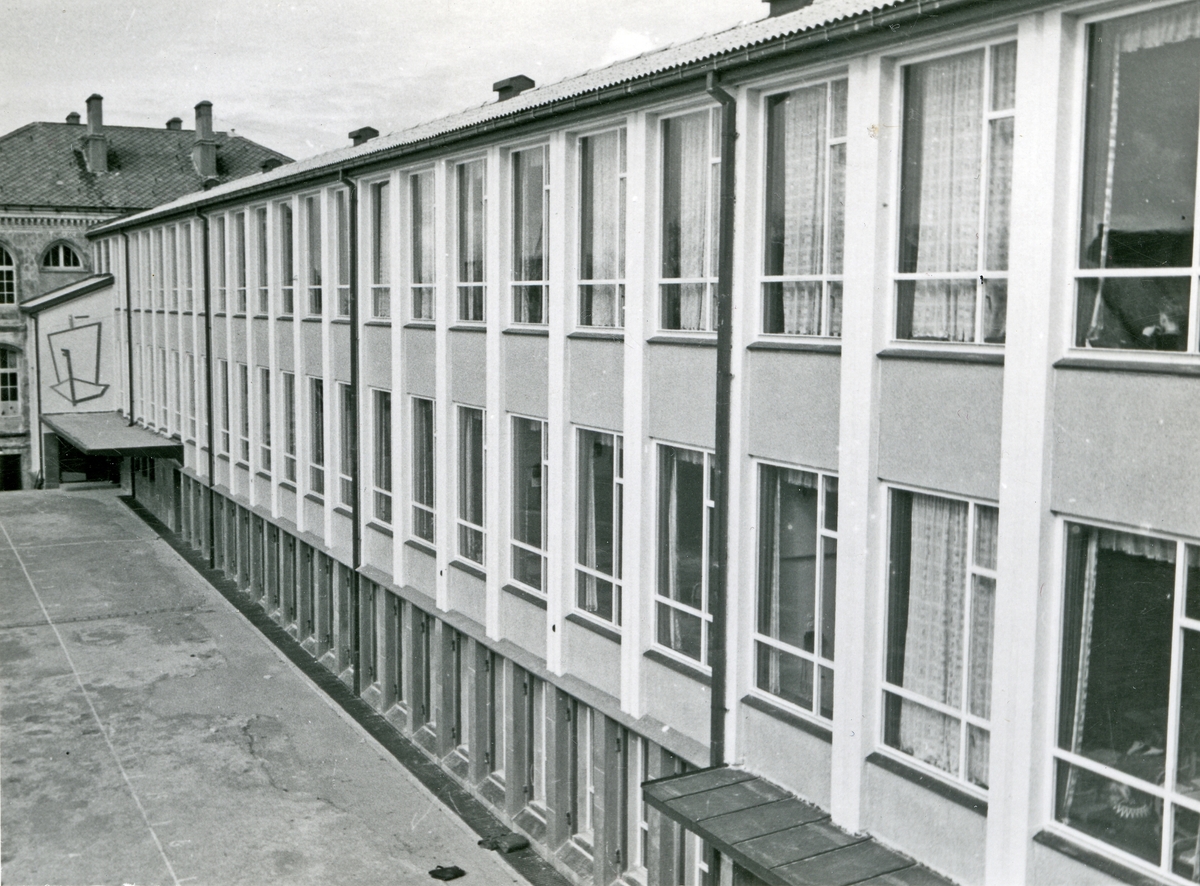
pixel 603 230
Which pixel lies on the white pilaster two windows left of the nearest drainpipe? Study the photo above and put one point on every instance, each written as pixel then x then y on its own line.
pixel 560 553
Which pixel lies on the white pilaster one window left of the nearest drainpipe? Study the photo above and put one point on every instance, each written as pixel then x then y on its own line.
pixel 638 532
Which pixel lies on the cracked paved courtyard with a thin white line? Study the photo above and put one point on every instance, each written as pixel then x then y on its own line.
pixel 149 735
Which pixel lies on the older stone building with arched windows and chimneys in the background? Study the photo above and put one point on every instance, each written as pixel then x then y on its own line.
pixel 56 181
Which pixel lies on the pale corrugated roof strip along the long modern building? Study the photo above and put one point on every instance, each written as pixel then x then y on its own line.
pixel 820 14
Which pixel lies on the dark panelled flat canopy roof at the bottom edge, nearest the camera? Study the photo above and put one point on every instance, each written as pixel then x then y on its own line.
pixel 776 836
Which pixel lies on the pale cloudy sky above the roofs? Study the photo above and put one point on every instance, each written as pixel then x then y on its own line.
pixel 299 76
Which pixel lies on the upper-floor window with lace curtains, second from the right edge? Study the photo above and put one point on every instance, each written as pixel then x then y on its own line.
pixel 957 177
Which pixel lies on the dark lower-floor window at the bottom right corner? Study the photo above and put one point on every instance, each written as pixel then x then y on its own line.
pixel 1129 749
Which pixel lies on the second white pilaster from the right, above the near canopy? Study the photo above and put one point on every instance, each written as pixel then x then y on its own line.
pixel 871 152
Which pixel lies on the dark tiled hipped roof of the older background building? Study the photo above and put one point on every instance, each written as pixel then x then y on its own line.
pixel 43 165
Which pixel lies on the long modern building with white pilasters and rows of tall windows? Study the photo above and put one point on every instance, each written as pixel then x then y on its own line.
pixel 814 406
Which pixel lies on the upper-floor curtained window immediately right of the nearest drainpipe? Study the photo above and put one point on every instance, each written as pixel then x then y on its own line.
pixel 806 211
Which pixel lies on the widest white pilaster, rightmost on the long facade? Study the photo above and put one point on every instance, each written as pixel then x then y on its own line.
pixel 1025 643
